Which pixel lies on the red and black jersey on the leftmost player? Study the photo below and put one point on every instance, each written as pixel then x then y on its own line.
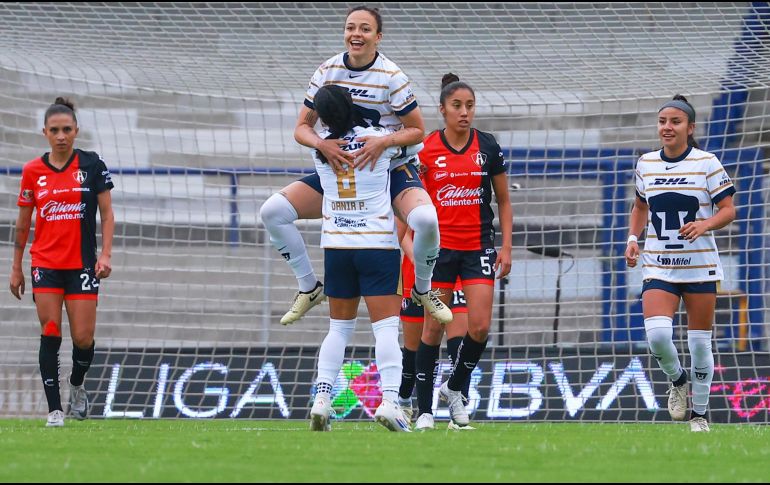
pixel 66 203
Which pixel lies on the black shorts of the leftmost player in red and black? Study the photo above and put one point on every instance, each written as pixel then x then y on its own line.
pixel 74 284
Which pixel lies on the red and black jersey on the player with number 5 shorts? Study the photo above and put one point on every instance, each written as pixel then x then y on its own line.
pixel 460 185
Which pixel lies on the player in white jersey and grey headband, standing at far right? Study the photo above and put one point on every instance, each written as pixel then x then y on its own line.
pixel 677 188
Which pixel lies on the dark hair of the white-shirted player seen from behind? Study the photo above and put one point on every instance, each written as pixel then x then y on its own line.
pixel 335 107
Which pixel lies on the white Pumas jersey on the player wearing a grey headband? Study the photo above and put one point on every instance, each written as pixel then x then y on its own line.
pixel 679 191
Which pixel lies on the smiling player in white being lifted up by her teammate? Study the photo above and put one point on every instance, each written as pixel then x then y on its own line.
pixel 383 97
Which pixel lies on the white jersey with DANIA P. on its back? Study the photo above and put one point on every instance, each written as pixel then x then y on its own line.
pixel 356 210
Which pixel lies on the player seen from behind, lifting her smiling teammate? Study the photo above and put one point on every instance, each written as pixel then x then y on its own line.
pixel 361 258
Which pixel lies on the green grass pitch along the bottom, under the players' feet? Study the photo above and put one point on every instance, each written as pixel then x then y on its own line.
pixel 248 451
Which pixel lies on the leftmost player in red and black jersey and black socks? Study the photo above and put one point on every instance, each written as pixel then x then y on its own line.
pixel 66 186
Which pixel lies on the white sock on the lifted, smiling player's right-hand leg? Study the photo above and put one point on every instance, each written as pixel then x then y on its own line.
pixel 424 222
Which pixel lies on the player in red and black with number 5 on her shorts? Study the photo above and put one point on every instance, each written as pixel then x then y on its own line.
pixel 462 166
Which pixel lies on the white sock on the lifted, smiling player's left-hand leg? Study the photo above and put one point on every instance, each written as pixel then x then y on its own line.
pixel 278 216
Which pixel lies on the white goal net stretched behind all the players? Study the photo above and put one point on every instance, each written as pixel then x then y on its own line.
pixel 193 107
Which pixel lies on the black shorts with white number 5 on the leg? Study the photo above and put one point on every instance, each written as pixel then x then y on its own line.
pixel 472 267
